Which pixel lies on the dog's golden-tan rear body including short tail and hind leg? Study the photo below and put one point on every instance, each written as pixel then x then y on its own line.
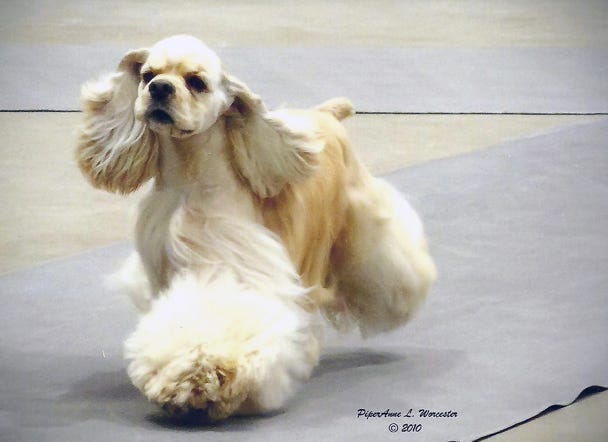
pixel 354 240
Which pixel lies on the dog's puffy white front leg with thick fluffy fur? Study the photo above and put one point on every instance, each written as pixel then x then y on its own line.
pixel 211 343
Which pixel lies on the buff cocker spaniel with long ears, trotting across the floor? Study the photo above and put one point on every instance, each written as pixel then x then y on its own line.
pixel 257 223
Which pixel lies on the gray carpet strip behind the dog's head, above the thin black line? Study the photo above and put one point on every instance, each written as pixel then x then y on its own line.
pixel 529 80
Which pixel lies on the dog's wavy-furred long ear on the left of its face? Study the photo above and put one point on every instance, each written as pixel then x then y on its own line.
pixel 115 151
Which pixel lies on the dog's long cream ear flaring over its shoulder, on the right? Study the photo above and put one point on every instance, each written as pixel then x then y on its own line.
pixel 270 149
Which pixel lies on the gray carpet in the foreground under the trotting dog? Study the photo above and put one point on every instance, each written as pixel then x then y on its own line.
pixel 517 321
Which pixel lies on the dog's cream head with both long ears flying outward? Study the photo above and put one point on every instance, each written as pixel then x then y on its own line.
pixel 178 88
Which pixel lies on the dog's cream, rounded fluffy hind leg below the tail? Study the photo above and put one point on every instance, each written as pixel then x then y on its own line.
pixel 381 260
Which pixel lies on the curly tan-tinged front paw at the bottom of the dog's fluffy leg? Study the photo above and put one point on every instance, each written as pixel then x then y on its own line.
pixel 193 380
